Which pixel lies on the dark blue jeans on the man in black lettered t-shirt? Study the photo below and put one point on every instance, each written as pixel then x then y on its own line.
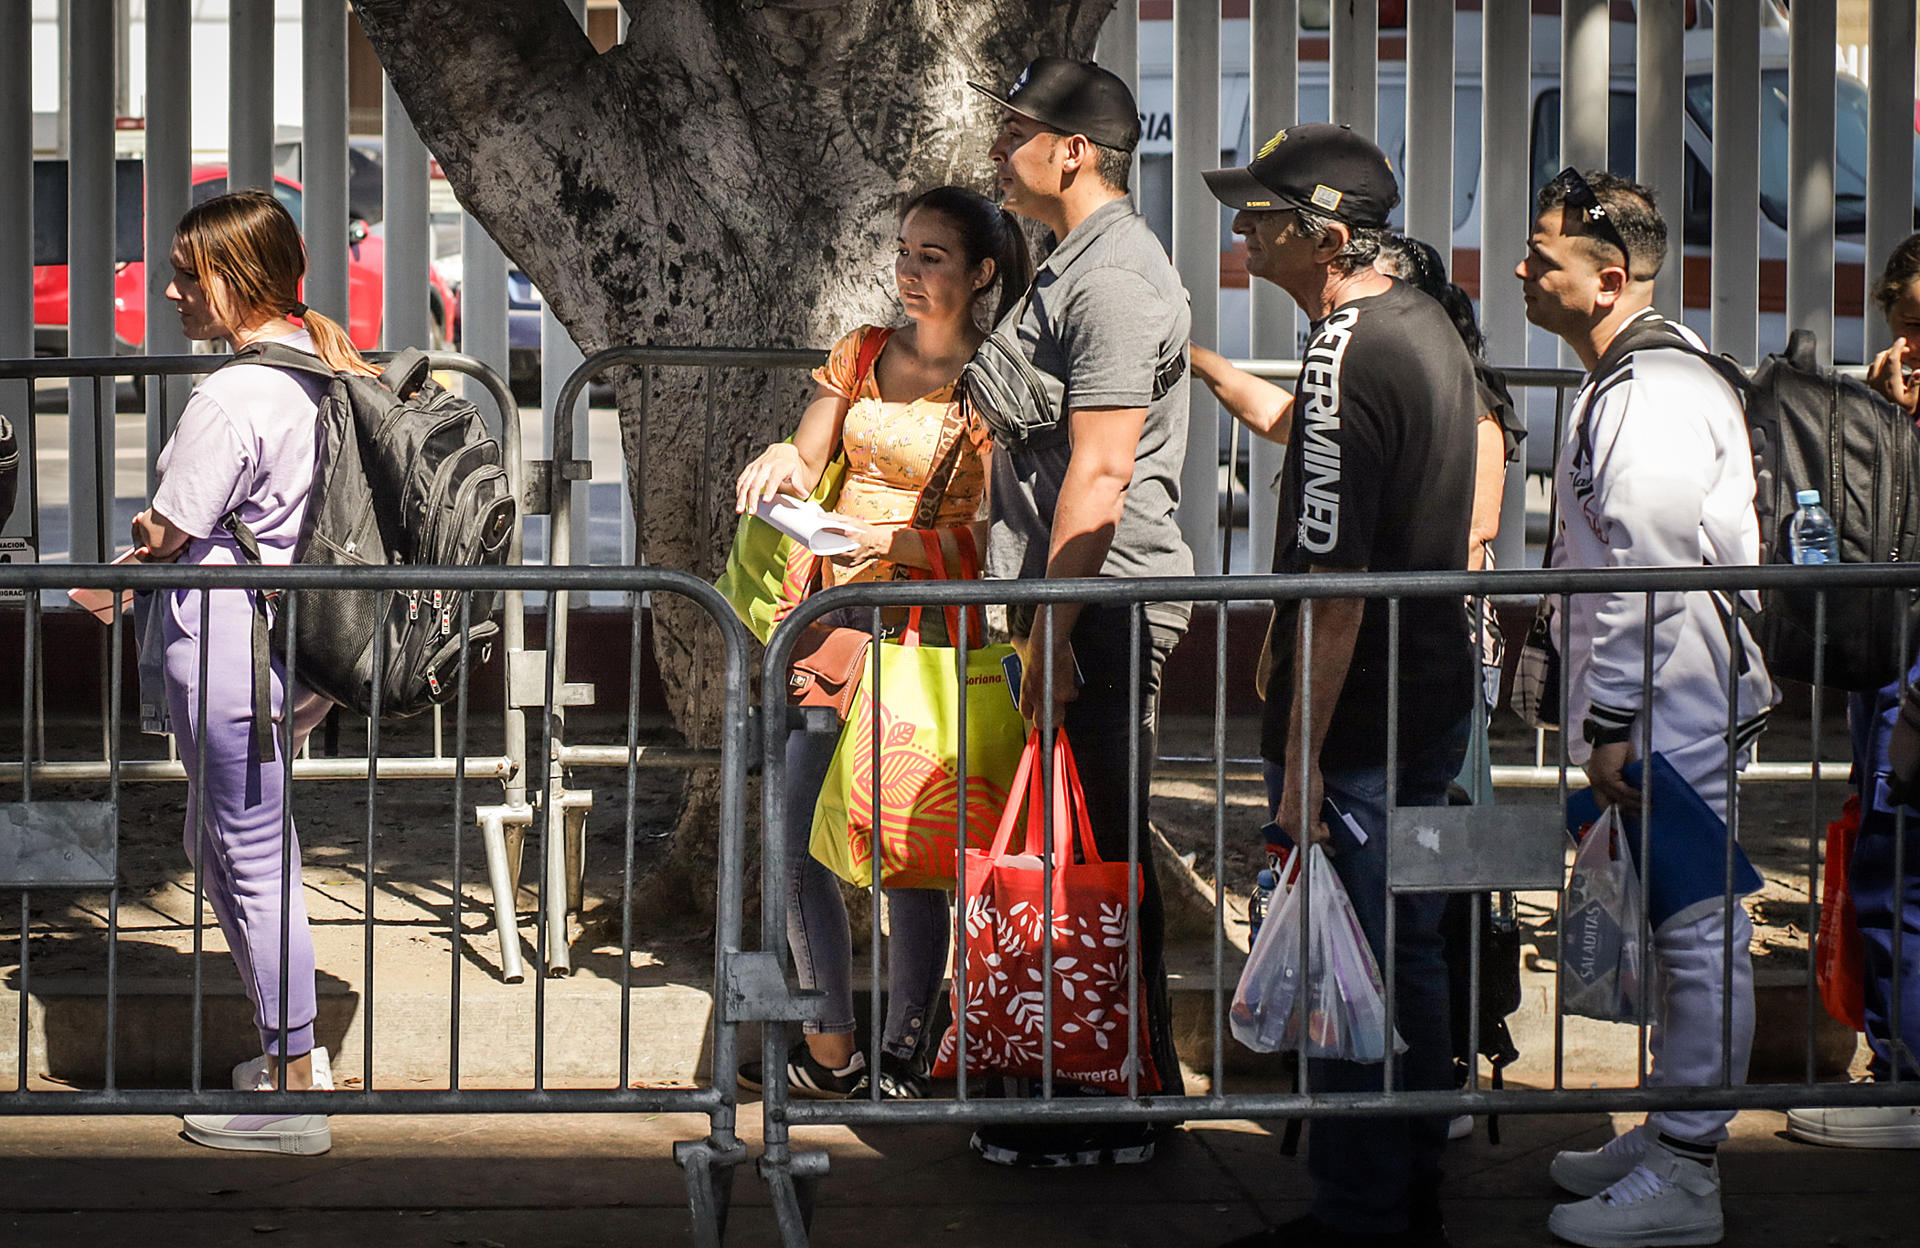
pixel 1372 1172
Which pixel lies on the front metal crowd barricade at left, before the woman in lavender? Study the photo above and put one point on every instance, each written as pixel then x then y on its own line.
pixel 74 846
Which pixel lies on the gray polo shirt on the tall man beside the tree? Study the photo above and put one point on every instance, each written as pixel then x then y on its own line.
pixel 1107 312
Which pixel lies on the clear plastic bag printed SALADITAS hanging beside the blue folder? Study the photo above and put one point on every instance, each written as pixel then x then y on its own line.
pixel 1600 926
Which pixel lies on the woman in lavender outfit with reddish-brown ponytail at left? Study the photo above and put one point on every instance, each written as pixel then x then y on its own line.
pixel 245 444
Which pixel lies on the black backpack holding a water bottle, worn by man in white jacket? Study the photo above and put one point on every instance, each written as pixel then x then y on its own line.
pixel 1813 429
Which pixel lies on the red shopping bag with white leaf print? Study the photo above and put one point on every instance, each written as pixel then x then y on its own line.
pixel 1003 938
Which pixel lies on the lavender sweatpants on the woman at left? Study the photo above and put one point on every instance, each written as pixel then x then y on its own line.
pixel 241 807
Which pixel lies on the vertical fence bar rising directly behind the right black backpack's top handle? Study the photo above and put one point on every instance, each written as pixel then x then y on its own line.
pixel 1812 97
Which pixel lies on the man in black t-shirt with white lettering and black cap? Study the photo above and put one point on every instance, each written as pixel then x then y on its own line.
pixel 1380 477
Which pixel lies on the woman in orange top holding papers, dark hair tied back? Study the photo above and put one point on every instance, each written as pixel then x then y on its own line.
pixel 888 400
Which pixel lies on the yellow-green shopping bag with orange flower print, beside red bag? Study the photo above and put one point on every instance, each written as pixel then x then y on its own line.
pixel 919 775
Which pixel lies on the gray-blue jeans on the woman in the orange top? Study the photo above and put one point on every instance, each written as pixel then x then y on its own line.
pixel 819 932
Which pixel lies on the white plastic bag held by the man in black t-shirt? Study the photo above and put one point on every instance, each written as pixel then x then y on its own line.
pixel 1337 990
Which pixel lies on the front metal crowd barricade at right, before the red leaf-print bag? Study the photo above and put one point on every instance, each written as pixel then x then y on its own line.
pixel 1429 850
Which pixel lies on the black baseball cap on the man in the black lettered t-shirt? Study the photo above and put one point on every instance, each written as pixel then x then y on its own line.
pixel 1326 170
